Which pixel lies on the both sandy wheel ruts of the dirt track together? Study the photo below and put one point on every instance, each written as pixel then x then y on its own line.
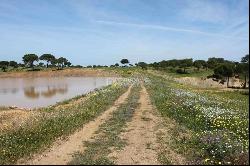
pixel 147 138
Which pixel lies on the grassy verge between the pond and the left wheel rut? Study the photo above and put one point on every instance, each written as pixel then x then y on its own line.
pixel 41 132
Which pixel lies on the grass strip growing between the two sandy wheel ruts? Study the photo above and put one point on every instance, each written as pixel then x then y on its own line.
pixel 108 135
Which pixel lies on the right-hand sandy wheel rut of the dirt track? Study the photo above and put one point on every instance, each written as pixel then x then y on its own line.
pixel 141 137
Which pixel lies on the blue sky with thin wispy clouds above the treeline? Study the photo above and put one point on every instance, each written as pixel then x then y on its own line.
pixel 105 31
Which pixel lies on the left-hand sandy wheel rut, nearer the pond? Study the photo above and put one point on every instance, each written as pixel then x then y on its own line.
pixel 61 151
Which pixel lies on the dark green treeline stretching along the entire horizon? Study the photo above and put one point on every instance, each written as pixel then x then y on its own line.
pixel 222 68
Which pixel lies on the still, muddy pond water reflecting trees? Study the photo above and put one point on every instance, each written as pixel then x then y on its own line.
pixel 41 92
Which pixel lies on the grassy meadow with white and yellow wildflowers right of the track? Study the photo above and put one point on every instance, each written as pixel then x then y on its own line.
pixel 218 121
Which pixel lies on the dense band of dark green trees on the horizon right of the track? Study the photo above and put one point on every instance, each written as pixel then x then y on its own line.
pixel 222 68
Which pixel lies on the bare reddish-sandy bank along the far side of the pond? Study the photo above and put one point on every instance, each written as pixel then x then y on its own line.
pixel 57 73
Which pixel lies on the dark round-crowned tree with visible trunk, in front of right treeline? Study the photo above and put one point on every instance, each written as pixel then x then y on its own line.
pixel 224 70
